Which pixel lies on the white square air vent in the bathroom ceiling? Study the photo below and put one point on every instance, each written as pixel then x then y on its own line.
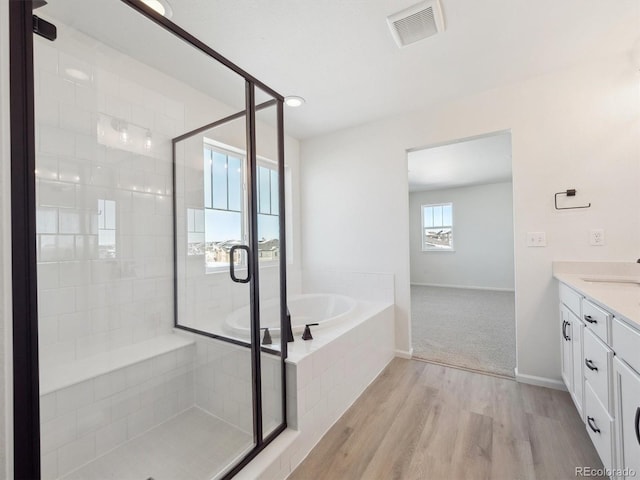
pixel 416 23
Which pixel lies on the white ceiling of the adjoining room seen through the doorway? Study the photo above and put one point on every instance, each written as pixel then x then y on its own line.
pixel 475 161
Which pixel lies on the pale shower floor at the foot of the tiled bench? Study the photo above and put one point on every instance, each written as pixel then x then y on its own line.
pixel 191 446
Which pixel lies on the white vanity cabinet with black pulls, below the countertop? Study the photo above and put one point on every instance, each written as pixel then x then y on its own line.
pixel 601 369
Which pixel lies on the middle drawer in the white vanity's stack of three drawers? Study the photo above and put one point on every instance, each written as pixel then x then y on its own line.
pixel 597 366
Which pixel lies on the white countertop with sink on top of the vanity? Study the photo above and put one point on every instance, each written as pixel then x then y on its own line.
pixel 609 291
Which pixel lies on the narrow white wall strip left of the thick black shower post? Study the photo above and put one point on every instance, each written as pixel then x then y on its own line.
pixel 5 253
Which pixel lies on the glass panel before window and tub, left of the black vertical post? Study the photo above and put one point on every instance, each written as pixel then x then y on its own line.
pixel 213 269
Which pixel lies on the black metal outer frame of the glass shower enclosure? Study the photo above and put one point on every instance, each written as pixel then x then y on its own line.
pixel 26 401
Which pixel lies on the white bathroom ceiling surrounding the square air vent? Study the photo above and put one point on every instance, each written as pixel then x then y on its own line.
pixel 340 56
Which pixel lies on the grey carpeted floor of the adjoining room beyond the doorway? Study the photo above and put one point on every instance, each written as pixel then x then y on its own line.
pixel 466 328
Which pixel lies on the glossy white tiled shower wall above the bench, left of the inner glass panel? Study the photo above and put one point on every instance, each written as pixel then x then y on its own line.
pixel 101 287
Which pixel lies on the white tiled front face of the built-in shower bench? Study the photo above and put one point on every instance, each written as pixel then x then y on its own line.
pixel 86 420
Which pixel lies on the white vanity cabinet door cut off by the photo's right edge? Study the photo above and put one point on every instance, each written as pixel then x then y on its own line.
pixel 627 400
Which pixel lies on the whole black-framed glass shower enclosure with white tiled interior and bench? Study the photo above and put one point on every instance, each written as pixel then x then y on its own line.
pixel 154 209
